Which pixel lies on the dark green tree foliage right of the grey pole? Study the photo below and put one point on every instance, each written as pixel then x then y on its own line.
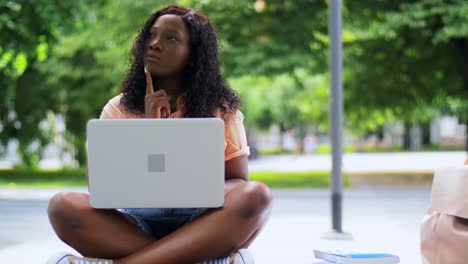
pixel 408 59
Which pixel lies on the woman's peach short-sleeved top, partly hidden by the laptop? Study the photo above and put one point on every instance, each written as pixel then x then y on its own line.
pixel 235 140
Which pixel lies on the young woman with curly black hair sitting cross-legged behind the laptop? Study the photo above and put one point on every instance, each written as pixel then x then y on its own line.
pixel 174 74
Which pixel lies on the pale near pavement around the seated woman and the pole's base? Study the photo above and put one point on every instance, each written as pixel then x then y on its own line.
pixel 383 219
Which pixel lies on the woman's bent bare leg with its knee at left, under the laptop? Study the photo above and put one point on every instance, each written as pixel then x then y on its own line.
pixel 93 232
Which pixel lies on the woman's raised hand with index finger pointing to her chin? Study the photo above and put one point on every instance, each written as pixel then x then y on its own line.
pixel 156 103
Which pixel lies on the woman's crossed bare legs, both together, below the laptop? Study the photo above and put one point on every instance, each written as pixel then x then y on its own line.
pixel 108 234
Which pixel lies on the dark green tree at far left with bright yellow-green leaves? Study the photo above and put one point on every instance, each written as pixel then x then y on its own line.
pixel 28 29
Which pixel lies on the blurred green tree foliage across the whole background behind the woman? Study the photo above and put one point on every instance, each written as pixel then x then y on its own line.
pixel 404 60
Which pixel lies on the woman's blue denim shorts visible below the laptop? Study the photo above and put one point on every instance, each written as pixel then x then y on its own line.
pixel 160 222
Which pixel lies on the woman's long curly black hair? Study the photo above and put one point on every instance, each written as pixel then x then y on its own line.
pixel 203 84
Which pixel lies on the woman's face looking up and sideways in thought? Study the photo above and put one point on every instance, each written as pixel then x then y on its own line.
pixel 167 48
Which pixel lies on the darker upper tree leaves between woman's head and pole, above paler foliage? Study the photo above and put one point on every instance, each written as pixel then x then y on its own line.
pixel 269 37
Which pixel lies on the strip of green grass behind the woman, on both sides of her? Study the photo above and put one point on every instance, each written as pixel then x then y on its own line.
pixel 76 177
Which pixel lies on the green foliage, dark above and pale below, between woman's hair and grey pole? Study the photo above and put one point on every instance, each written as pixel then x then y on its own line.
pixel 271 50
